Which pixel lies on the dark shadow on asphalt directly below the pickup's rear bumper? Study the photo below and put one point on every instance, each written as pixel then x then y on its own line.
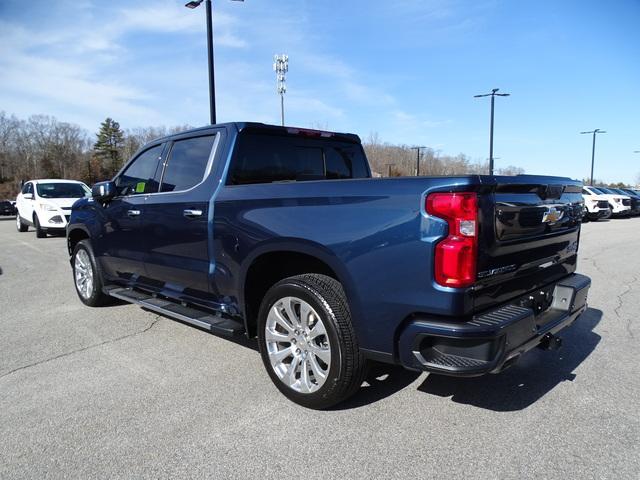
pixel 532 377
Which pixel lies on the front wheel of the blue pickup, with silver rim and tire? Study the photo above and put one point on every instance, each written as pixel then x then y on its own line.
pixel 87 276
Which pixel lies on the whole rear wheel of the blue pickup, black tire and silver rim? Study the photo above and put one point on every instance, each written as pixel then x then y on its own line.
pixel 307 341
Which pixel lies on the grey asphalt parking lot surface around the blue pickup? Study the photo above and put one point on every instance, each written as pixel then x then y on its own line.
pixel 118 392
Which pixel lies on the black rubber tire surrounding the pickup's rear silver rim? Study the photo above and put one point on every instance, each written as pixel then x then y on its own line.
pixel 326 296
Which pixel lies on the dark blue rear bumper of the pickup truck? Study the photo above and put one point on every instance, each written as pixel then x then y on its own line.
pixel 491 341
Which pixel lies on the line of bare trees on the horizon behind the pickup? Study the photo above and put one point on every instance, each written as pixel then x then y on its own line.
pixel 41 146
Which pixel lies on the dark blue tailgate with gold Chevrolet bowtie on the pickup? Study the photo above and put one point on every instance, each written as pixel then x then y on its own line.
pixel 528 238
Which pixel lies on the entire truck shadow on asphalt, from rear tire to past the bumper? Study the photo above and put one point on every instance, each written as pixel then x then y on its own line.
pixel 518 387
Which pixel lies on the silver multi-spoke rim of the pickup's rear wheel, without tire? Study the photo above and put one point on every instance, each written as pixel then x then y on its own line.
pixel 297 344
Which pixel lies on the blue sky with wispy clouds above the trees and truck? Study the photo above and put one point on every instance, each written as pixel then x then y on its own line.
pixel 406 70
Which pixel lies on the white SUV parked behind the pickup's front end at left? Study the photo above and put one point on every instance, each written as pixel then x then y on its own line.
pixel 46 204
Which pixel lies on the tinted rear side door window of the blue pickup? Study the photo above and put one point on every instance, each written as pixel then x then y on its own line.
pixel 187 163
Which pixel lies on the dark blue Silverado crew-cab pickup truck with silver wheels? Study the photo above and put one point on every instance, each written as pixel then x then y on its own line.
pixel 281 234
